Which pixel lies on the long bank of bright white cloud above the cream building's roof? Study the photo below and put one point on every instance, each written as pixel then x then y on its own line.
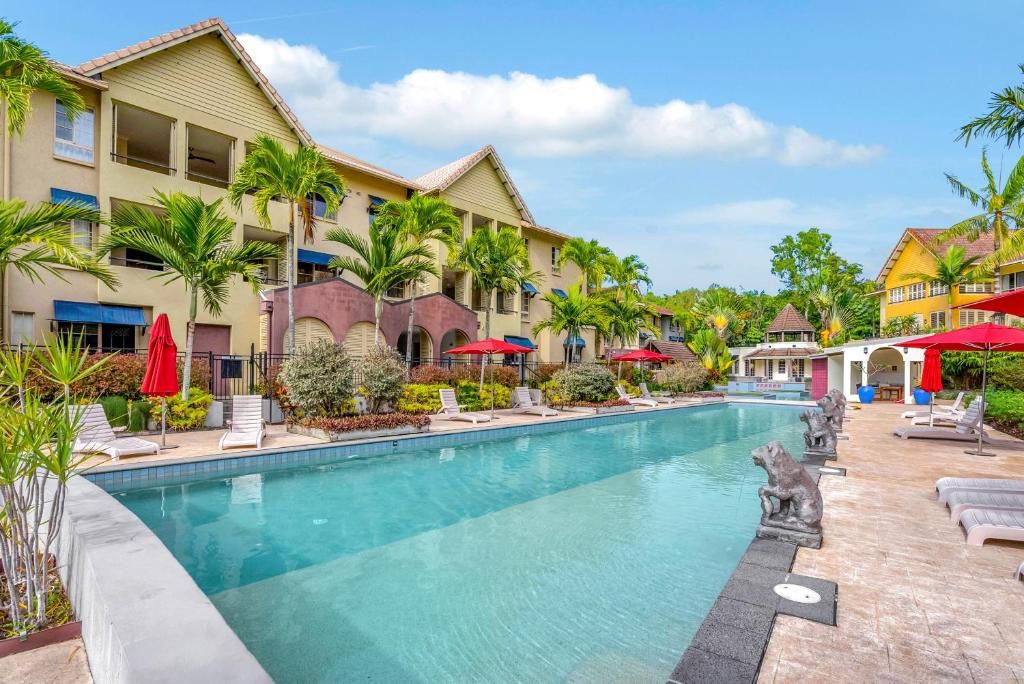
pixel 539 117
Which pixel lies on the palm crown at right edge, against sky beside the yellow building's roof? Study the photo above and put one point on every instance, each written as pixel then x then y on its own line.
pixel 1002 216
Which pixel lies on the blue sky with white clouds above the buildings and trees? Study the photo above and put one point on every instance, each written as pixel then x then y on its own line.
pixel 694 135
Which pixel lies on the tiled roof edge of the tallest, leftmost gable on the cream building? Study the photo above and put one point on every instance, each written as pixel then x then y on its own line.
pixel 211 26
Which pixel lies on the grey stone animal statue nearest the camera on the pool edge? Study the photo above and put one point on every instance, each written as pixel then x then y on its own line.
pixel 797 519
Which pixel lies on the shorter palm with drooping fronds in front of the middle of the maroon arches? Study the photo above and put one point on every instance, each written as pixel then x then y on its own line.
pixel 389 259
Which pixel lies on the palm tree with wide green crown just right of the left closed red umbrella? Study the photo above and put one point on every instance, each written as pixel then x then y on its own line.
pixel 195 241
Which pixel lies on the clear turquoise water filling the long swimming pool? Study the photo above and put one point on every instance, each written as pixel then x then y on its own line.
pixel 576 555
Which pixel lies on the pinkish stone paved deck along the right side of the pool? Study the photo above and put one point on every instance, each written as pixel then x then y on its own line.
pixel 916 603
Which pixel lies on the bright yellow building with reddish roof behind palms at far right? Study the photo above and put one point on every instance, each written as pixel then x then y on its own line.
pixel 930 303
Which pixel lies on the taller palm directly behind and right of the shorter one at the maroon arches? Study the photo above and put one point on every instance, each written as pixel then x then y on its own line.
pixel 421 219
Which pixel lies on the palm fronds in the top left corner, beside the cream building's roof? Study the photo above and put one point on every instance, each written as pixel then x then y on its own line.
pixel 24 70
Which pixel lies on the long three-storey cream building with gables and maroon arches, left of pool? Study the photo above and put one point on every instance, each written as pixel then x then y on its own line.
pixel 177 113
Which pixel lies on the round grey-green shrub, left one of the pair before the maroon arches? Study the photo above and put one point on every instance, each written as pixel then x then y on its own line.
pixel 319 380
